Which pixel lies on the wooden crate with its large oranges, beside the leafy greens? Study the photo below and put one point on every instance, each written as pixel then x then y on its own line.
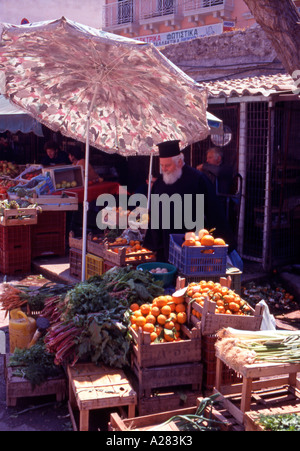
pixel 160 334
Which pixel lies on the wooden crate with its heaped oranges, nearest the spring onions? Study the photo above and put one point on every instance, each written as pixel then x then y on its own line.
pixel 215 306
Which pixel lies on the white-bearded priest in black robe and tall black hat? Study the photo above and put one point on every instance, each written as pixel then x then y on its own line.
pixel 182 185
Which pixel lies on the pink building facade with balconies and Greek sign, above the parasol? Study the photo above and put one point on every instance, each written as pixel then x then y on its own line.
pixel 171 21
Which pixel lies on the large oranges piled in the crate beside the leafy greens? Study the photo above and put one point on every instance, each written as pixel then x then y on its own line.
pixel 162 318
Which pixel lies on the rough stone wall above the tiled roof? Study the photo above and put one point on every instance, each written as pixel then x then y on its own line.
pixel 233 54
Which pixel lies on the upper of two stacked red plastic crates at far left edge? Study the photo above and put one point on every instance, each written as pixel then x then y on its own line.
pixel 14 237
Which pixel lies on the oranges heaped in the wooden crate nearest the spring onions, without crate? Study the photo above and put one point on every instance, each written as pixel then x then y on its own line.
pixel 227 301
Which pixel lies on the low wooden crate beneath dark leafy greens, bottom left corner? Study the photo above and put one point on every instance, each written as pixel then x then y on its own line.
pixel 18 387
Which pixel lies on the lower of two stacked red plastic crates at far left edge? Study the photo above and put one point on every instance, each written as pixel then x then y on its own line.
pixel 15 262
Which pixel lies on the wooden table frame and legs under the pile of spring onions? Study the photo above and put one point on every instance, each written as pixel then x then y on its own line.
pixel 258 380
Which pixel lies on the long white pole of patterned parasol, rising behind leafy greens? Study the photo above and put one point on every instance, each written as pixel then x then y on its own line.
pixel 86 184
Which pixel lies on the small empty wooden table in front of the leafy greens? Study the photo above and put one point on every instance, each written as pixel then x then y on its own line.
pixel 94 387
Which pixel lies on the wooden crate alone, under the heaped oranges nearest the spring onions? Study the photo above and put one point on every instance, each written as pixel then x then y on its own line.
pixel 211 322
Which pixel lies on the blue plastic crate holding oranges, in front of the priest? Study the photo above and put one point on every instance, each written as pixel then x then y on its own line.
pixel 197 260
